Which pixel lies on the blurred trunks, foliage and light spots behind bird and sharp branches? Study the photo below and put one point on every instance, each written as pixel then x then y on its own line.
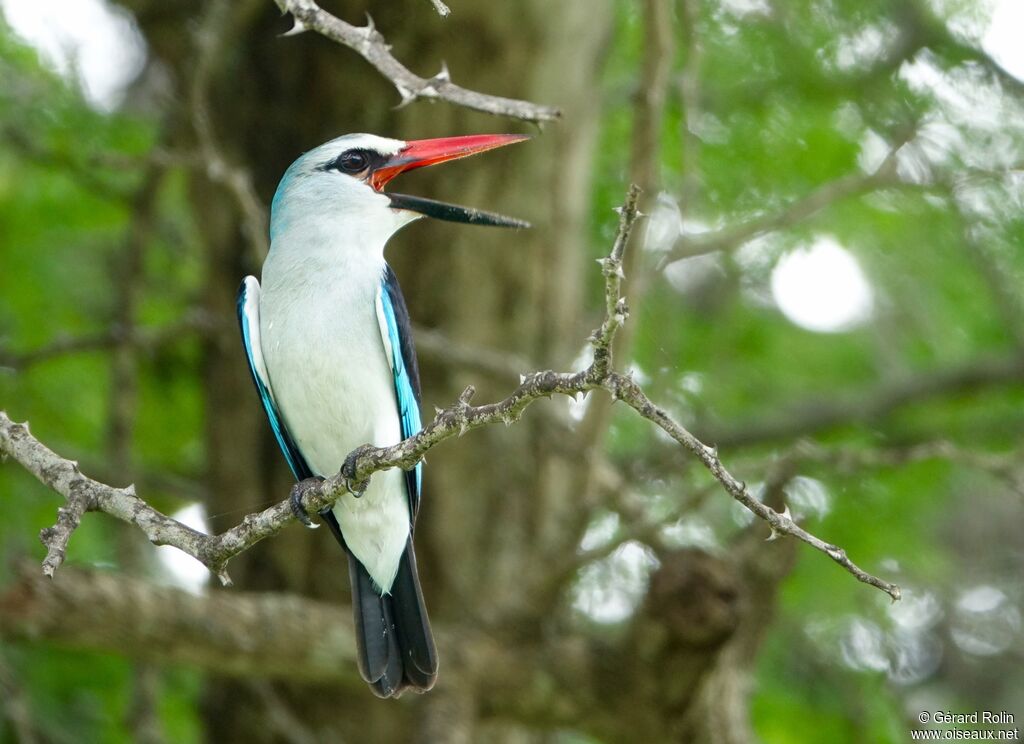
pixel 827 287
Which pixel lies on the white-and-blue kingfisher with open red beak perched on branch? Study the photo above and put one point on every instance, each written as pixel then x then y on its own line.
pixel 329 344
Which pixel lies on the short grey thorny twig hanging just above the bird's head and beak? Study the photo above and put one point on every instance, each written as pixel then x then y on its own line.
pixel 369 43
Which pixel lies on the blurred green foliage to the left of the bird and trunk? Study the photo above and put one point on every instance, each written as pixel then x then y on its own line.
pixel 65 209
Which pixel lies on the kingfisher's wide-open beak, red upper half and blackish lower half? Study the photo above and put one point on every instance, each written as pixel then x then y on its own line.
pixel 422 153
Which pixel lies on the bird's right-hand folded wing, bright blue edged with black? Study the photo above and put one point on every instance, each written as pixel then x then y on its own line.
pixel 398 337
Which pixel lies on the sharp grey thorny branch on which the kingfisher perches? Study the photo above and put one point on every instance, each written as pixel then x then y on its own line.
pixel 84 495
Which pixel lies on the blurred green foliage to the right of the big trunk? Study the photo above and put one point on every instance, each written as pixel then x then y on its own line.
pixel 779 123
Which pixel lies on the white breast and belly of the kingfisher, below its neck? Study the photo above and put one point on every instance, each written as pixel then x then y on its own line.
pixel 332 381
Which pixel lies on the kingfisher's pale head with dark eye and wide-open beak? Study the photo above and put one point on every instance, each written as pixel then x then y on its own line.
pixel 340 185
